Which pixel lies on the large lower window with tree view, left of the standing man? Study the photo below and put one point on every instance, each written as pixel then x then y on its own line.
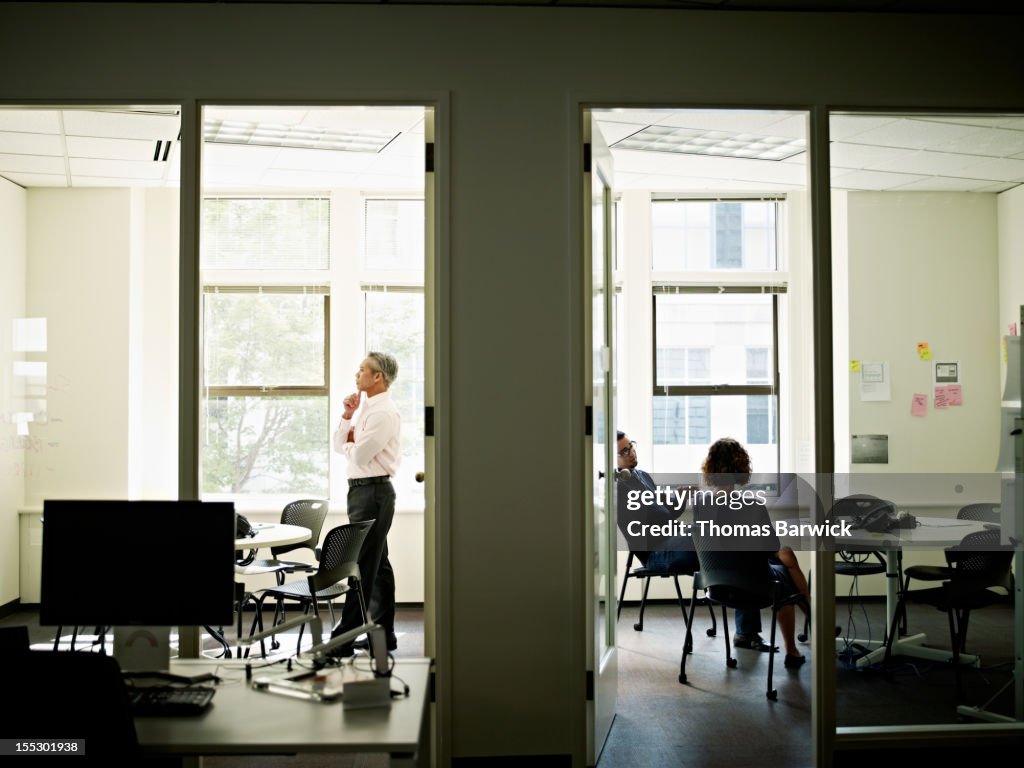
pixel 266 395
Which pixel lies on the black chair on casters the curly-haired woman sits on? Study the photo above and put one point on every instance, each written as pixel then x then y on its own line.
pixel 739 580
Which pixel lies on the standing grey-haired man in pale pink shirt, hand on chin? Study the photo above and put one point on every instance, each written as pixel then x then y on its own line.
pixel 372 447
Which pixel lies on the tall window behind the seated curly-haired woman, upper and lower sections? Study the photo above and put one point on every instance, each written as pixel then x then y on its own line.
pixel 715 347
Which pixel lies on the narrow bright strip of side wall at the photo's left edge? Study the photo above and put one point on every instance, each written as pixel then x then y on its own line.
pixel 13 259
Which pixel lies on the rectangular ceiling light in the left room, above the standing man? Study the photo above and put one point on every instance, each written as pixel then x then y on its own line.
pixel 293 137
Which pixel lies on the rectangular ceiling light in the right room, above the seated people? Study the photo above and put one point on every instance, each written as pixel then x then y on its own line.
pixel 719 144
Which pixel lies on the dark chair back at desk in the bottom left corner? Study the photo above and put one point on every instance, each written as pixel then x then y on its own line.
pixel 74 696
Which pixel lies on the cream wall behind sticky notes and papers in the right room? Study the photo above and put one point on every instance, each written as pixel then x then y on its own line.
pixel 923 268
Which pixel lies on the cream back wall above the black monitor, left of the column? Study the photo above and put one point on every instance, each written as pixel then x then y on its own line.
pixel 77 278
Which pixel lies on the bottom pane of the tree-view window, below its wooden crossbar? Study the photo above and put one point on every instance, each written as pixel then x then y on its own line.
pixel 266 446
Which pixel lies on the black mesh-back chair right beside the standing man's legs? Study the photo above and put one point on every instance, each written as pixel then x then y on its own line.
pixel 337 576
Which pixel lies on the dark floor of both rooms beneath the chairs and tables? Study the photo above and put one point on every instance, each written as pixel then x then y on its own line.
pixel 721 718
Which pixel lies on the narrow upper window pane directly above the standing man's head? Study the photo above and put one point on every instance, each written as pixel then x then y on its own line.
pixel 395 235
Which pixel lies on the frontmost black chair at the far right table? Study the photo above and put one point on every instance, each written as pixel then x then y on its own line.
pixel 976 566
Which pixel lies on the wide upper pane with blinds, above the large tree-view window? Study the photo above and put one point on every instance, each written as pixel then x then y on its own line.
pixel 266 234
